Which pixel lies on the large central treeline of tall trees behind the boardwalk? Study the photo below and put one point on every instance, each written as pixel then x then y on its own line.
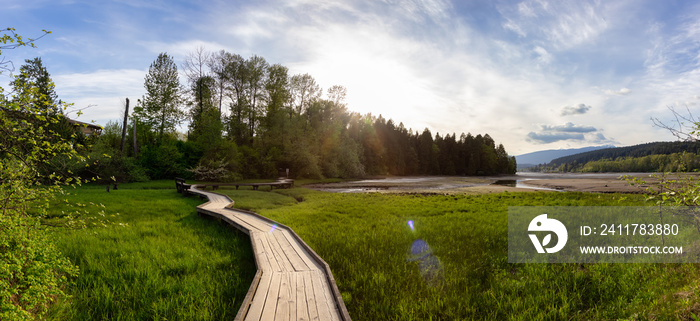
pixel 249 119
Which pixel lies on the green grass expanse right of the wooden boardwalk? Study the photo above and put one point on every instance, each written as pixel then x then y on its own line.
pixel 366 241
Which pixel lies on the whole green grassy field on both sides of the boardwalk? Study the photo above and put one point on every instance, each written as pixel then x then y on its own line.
pixel 168 263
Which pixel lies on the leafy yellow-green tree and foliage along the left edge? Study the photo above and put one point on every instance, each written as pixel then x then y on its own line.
pixel 32 271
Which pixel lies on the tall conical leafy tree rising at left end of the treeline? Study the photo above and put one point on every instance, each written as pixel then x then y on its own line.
pixel 160 107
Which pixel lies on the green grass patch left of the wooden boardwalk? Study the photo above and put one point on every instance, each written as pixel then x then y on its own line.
pixel 155 260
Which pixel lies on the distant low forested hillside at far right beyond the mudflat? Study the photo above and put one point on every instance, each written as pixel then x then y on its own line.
pixel 649 157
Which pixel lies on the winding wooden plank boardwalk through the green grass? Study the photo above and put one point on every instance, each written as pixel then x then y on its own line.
pixel 292 281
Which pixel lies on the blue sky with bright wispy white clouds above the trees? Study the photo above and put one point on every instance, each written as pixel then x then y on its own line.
pixel 533 74
